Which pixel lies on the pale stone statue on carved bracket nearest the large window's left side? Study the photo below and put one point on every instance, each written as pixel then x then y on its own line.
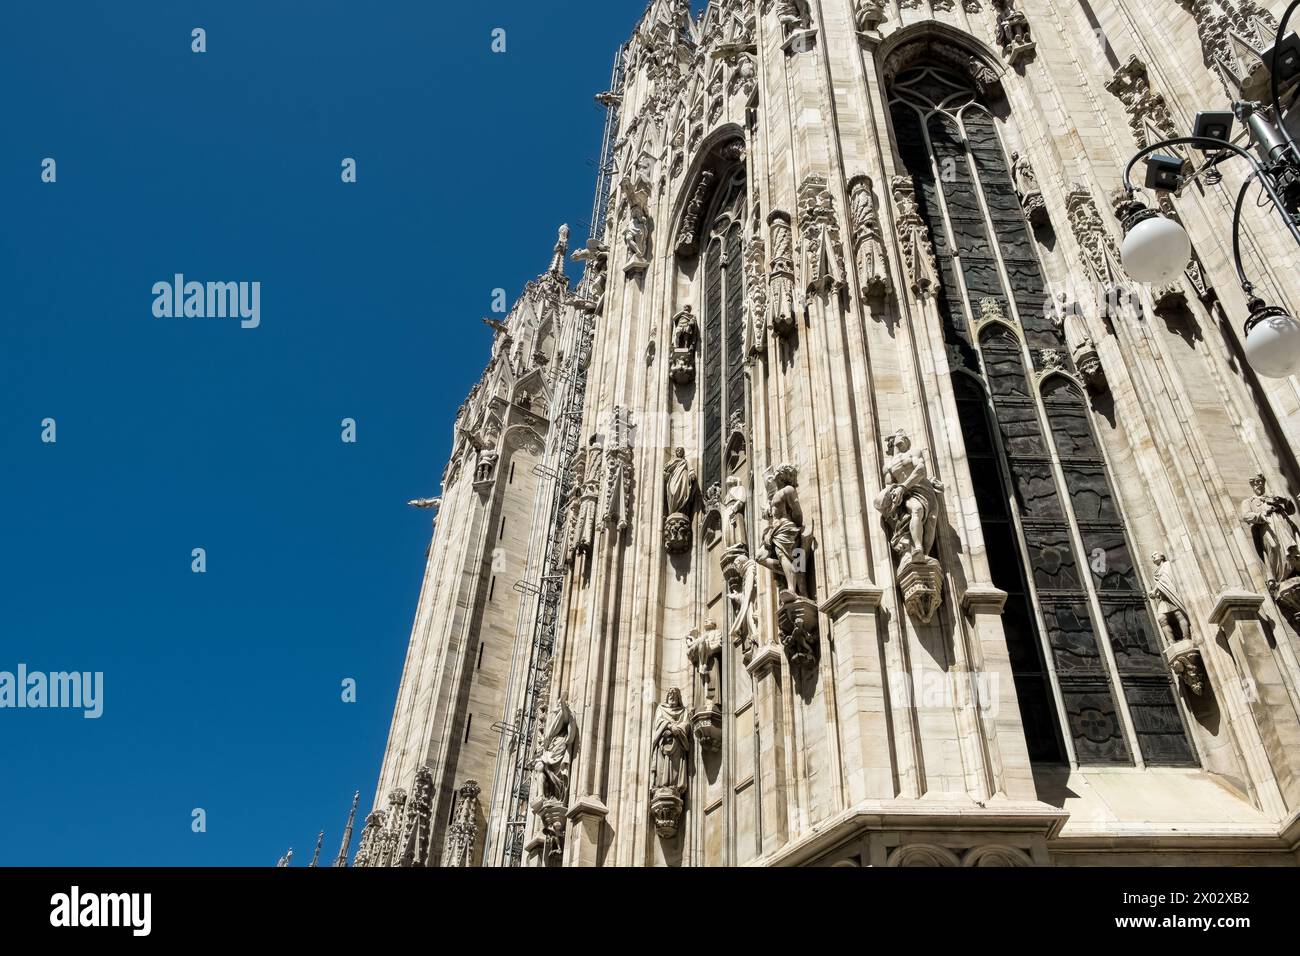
pixel 909 505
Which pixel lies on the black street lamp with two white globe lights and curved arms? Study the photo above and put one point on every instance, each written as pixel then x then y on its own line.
pixel 1156 248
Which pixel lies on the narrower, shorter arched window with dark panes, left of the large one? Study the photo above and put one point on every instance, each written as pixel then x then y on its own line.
pixel 723 327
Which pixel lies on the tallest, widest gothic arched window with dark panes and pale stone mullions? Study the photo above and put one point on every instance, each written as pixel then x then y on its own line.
pixel 1080 633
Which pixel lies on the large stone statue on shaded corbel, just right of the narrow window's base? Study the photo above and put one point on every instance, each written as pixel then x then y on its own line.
pixel 785 552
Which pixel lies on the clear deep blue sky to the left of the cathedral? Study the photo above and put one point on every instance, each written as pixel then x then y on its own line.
pixel 223 691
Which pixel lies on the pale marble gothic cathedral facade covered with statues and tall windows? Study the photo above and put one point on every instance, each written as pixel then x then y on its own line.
pixel 856 508
